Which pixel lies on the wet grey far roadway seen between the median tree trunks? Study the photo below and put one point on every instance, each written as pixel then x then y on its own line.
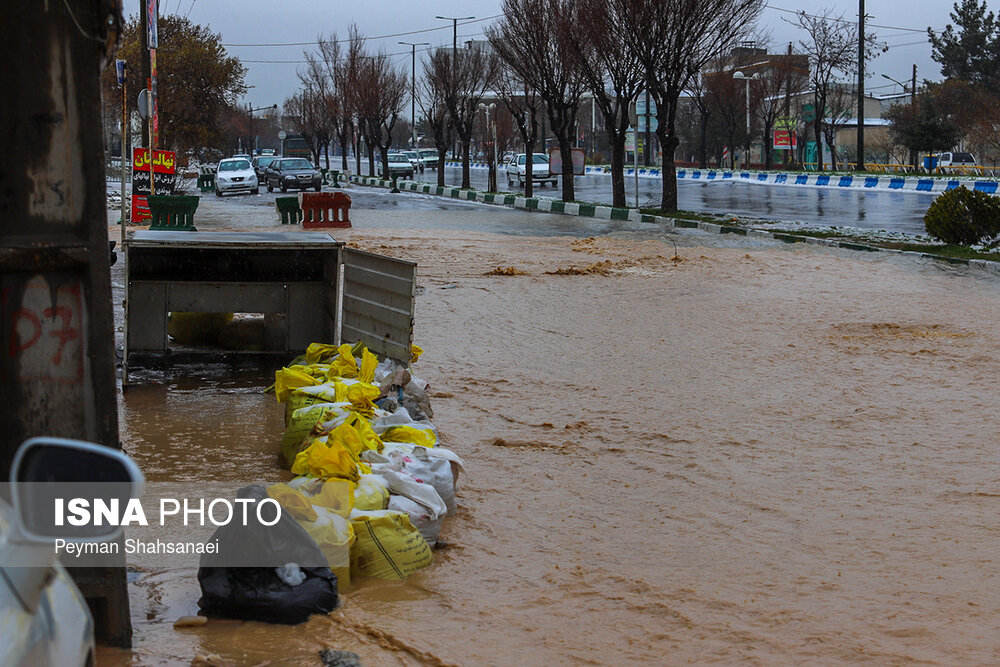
pixel 892 211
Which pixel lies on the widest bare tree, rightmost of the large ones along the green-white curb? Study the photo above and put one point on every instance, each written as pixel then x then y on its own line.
pixel 675 39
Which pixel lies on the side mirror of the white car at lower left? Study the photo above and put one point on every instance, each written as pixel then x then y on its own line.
pixel 49 474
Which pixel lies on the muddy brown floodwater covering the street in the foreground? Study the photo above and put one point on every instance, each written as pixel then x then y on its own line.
pixel 746 455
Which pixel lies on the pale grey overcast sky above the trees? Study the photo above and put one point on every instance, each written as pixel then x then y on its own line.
pixel 261 22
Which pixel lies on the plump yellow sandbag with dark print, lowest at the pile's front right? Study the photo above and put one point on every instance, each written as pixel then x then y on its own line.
pixel 387 545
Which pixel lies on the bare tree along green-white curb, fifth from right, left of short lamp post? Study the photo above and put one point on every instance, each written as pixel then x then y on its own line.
pixel 468 76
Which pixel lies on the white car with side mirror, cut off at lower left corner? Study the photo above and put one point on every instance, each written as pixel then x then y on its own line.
pixel 45 618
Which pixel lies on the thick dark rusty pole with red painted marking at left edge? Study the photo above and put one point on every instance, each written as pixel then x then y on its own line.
pixel 56 315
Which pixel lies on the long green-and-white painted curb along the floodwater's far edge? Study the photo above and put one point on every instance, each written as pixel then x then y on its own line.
pixel 547 205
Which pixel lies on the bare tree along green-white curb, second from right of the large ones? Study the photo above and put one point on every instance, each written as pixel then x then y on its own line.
pixel 613 75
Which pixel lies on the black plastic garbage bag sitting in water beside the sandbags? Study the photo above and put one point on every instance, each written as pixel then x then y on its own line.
pixel 242 581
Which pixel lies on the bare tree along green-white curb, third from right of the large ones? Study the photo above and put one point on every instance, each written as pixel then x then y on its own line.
pixel 534 38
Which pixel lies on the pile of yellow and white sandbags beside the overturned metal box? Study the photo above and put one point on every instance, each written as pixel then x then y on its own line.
pixel 374 484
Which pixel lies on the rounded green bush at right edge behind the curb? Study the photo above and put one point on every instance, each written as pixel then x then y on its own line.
pixel 963 217
